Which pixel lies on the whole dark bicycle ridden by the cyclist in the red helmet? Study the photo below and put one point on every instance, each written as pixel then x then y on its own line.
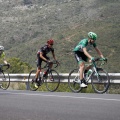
pixel 50 77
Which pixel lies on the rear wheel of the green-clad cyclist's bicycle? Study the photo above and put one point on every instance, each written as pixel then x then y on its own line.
pixel 72 81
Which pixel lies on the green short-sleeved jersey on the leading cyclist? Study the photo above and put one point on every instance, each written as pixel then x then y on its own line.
pixel 82 44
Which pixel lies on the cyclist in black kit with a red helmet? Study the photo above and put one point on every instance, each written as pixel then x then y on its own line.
pixel 42 56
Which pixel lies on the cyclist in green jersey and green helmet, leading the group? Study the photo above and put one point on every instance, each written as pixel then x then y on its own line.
pixel 82 55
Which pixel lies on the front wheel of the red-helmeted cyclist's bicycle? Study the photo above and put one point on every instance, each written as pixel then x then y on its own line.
pixel 52 80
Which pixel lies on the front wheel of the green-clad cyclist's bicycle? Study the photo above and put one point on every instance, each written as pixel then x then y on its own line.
pixel 100 82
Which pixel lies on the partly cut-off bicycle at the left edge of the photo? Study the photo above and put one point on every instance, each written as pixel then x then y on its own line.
pixel 4 76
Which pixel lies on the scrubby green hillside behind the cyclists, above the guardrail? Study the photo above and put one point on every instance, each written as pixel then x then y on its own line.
pixel 27 24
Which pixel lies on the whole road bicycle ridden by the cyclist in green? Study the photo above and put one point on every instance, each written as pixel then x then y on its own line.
pixel 98 77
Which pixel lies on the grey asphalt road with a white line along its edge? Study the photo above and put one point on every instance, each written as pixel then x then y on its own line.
pixel 28 105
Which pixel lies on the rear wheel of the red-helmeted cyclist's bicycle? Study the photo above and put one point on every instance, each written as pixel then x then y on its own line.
pixel 31 81
